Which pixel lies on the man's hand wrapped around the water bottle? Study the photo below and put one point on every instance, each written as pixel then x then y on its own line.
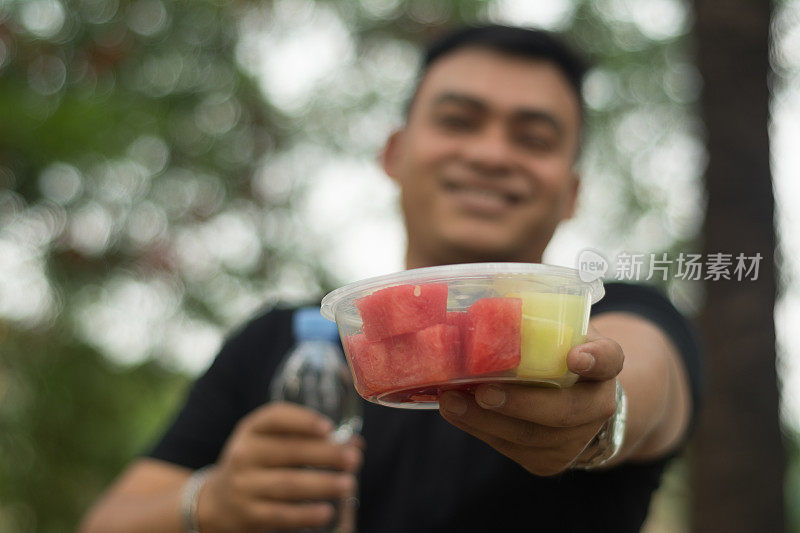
pixel 260 482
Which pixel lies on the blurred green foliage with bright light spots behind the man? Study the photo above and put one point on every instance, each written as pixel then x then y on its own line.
pixel 168 168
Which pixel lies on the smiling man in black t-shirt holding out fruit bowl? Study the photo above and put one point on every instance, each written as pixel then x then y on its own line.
pixel 485 165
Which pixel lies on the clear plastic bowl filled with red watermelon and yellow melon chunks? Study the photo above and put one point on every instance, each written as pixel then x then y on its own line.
pixel 411 335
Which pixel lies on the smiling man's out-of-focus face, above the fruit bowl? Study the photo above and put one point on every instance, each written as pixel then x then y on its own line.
pixel 485 161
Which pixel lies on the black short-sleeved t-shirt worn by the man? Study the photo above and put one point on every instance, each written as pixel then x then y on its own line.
pixel 421 474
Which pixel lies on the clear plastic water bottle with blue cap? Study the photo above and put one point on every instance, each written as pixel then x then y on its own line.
pixel 314 374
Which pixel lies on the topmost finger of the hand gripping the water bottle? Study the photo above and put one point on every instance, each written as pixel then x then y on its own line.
pixel 288 418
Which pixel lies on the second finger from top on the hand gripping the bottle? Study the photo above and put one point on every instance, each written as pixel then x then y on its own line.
pixel 288 451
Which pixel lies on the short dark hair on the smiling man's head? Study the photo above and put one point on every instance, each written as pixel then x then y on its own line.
pixel 509 40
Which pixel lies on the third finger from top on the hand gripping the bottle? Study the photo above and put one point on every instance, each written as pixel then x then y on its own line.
pixel 287 484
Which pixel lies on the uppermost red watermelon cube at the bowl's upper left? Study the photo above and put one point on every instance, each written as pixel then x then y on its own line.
pixel 402 309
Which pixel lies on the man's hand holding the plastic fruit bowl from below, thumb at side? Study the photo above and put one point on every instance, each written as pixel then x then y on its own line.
pixel 544 430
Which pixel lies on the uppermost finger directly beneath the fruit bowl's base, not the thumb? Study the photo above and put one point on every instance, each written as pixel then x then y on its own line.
pixel 583 403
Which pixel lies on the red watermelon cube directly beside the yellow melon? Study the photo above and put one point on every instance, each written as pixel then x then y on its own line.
pixel 492 344
